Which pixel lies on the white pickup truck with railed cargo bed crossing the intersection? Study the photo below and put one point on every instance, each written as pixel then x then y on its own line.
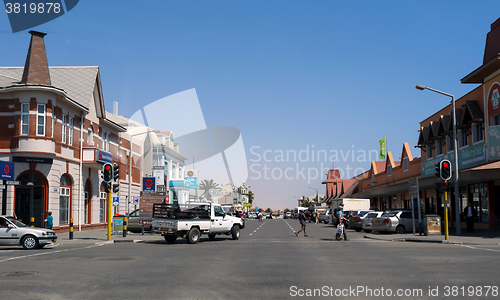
pixel 192 220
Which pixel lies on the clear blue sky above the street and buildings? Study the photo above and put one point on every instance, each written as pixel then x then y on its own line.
pixel 296 78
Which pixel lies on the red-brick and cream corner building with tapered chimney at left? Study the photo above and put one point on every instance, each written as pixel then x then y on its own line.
pixel 56 136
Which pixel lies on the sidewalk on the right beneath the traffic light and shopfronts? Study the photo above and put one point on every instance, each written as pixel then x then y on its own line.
pixel 480 237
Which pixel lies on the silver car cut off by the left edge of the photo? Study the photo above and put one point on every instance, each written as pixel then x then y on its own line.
pixel 15 232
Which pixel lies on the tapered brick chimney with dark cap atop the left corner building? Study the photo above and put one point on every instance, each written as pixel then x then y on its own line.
pixel 36 68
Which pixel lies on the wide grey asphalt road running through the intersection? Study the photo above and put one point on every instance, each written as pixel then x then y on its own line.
pixel 268 262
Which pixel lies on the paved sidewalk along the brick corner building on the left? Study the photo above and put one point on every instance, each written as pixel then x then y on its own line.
pixel 100 236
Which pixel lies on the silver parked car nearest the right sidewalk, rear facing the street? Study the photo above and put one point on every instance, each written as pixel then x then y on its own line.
pixel 398 221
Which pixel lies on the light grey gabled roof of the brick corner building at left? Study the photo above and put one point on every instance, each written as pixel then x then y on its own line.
pixel 77 82
